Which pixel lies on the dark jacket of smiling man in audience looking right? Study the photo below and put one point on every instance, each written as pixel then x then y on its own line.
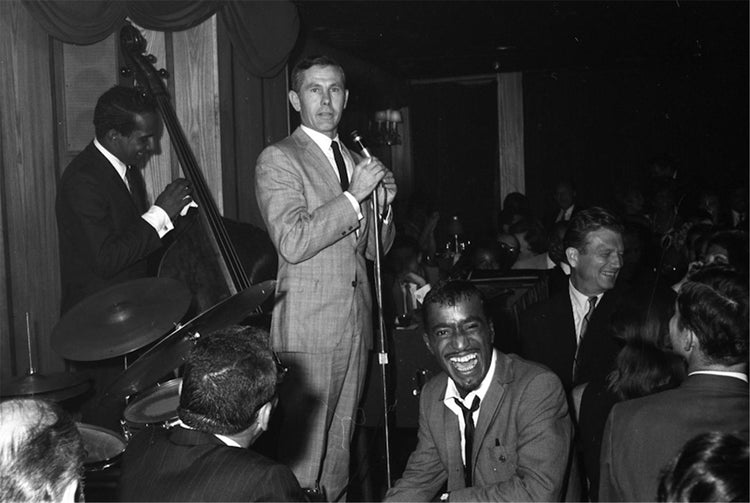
pixel 548 337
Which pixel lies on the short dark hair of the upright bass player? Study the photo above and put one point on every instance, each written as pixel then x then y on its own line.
pixel 116 109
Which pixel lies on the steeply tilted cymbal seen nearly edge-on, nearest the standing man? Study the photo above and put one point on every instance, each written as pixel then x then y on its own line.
pixel 172 351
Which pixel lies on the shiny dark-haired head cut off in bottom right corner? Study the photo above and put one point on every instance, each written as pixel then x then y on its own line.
pixel 712 466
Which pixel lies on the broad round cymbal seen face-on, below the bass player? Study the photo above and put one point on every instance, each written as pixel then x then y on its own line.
pixel 120 319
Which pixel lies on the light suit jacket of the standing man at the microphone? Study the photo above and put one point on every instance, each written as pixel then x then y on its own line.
pixel 322 290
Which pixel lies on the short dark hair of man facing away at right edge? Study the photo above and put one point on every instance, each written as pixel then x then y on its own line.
pixel 713 303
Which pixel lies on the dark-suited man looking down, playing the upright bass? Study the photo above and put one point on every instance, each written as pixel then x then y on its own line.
pixel 106 230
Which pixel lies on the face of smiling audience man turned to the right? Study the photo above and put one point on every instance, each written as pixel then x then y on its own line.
pixel 595 270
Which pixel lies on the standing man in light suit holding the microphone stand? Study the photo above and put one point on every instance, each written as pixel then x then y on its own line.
pixel 314 196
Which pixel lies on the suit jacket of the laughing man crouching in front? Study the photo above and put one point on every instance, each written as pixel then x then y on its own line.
pixel 521 442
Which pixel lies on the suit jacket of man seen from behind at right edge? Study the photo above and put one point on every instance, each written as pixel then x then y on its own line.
pixel 642 435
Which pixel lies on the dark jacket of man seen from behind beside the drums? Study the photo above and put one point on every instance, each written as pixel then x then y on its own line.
pixel 190 465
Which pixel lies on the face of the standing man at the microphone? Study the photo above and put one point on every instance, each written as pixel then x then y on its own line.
pixel 321 99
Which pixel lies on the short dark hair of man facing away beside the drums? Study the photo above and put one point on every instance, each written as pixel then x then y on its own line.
pixel 229 375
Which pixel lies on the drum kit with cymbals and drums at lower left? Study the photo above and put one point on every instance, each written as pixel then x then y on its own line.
pixel 123 320
